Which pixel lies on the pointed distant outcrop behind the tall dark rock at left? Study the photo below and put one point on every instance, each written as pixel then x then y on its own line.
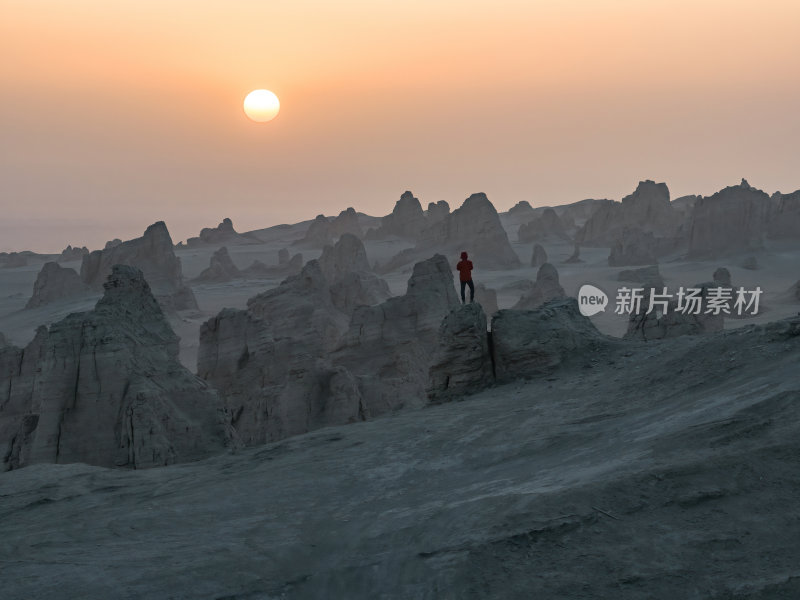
pixel 152 253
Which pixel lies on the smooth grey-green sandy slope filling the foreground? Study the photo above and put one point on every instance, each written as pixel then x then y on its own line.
pixel 661 470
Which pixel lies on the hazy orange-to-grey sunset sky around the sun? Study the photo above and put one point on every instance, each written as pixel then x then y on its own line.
pixel 114 115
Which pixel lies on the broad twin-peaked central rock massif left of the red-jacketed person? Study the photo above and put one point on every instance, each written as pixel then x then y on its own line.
pixel 291 363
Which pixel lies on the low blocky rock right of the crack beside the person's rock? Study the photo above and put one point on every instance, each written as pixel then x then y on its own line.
pixel 529 343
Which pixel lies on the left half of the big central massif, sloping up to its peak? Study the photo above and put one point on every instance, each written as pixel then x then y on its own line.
pixel 267 361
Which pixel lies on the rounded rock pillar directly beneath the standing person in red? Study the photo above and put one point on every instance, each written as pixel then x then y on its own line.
pixel 461 363
